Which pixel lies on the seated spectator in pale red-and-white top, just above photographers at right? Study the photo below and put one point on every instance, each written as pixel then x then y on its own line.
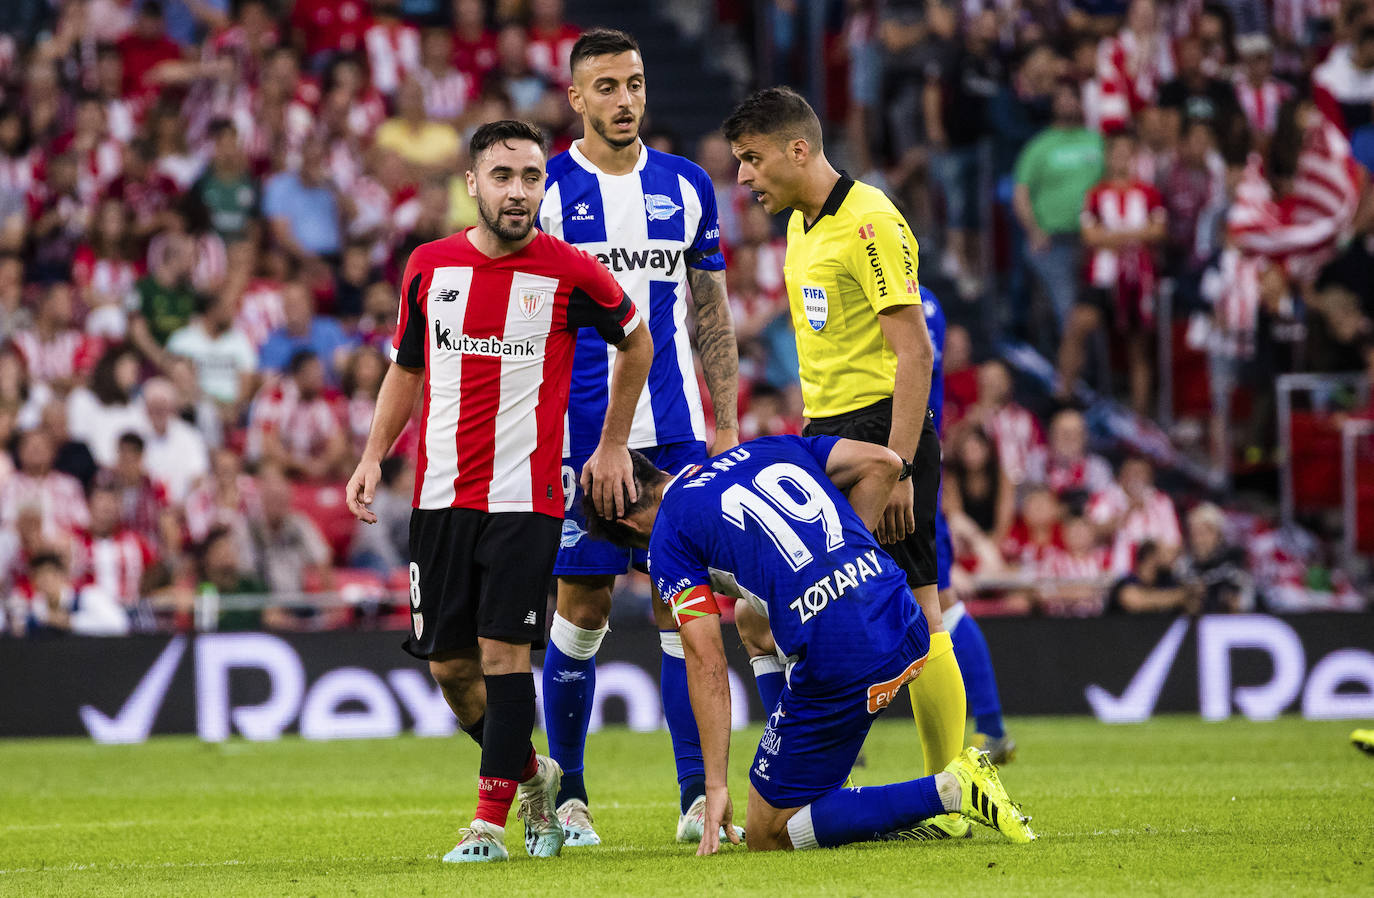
pixel 1133 511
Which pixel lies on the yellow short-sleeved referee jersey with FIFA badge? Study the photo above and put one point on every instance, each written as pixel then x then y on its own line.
pixel 855 260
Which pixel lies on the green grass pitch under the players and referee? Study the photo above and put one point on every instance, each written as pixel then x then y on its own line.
pixel 1170 808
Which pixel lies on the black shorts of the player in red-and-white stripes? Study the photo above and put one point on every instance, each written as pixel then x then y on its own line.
pixel 479 575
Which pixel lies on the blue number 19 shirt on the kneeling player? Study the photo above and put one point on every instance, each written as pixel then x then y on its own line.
pixel 766 525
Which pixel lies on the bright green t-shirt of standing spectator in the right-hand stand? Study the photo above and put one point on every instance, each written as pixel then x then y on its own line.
pixel 1059 168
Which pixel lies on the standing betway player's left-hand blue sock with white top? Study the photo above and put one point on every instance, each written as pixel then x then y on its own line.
pixel 570 686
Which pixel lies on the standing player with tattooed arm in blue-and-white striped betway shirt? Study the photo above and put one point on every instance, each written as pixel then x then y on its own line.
pixel 651 218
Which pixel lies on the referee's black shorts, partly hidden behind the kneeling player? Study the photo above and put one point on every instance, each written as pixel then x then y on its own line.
pixel 916 554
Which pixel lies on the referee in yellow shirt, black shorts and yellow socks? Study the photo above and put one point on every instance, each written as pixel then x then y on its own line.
pixel 866 356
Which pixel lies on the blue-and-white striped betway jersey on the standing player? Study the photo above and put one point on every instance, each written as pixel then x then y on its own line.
pixel 648 227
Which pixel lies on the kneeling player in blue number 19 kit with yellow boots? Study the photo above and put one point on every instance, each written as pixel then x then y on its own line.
pixel 770 524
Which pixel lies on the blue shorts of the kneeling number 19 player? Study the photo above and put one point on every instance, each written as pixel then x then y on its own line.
pixel 811 744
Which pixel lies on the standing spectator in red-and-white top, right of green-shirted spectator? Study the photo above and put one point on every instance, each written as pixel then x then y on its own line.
pixel 1123 220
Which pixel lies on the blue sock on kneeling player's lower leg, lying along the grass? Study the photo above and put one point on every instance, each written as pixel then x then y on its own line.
pixel 866 814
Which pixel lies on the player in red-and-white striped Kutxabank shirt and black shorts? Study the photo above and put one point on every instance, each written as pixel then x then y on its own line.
pixel 486 340
